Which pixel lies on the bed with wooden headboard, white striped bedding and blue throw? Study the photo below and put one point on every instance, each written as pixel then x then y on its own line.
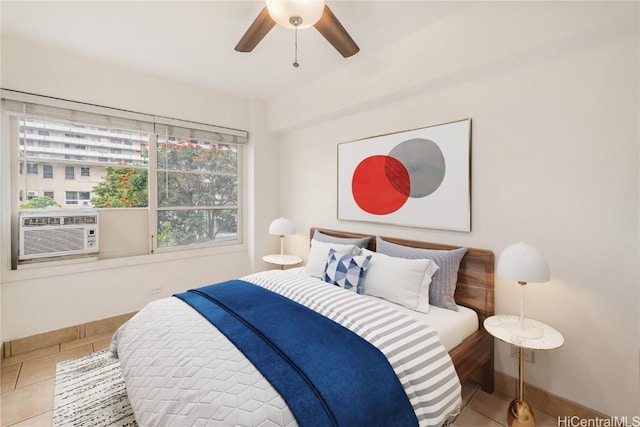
pixel 379 367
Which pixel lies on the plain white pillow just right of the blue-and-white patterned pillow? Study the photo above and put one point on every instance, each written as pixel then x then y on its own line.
pixel 399 280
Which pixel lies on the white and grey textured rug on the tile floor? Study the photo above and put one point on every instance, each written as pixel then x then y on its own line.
pixel 90 392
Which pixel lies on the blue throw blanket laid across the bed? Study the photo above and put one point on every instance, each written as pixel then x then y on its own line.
pixel 328 375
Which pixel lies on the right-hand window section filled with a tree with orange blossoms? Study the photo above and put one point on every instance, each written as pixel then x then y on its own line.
pixel 197 192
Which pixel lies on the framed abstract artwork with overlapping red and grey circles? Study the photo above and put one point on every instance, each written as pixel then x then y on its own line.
pixel 416 178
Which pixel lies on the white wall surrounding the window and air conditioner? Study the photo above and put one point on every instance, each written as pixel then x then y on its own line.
pixel 46 299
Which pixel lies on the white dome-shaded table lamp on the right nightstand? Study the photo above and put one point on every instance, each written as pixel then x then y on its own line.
pixel 525 264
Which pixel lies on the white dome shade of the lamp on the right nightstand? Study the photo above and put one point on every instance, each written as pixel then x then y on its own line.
pixel 524 263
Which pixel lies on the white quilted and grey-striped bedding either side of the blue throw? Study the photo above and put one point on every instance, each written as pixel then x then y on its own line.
pixel 181 371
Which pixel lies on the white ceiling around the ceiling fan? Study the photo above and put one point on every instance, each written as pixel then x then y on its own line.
pixel 194 40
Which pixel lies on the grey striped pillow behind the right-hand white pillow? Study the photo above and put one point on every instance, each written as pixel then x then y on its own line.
pixel 443 284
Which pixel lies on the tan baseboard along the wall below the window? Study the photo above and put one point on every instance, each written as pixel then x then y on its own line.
pixel 61 336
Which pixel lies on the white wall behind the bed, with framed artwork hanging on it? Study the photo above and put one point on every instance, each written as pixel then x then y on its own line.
pixel 552 90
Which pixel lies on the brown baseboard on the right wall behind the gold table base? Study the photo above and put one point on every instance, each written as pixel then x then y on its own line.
pixel 548 403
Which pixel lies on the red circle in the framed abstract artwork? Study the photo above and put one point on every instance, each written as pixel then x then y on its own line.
pixel 380 185
